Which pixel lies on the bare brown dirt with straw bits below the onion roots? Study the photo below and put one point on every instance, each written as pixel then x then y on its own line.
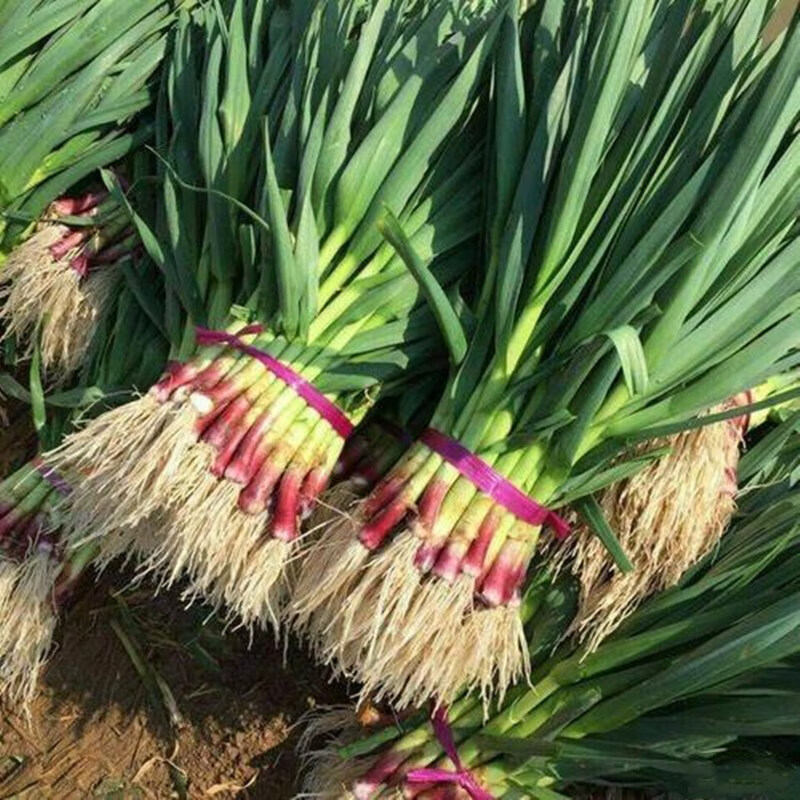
pixel 96 732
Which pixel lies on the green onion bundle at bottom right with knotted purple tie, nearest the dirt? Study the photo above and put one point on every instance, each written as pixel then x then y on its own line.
pixel 695 694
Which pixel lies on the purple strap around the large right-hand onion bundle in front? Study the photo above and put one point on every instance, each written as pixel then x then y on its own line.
pixel 493 483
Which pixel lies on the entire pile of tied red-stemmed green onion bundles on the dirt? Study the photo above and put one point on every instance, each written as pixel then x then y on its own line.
pixel 434 335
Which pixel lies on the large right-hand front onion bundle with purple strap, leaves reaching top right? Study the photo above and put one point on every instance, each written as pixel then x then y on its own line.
pixel 641 255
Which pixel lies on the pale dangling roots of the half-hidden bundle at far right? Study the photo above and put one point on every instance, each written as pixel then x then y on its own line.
pixel 666 517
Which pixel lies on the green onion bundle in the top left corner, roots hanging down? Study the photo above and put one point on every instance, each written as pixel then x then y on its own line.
pixel 74 76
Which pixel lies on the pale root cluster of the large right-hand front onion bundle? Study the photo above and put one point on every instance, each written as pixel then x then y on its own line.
pixel 403 635
